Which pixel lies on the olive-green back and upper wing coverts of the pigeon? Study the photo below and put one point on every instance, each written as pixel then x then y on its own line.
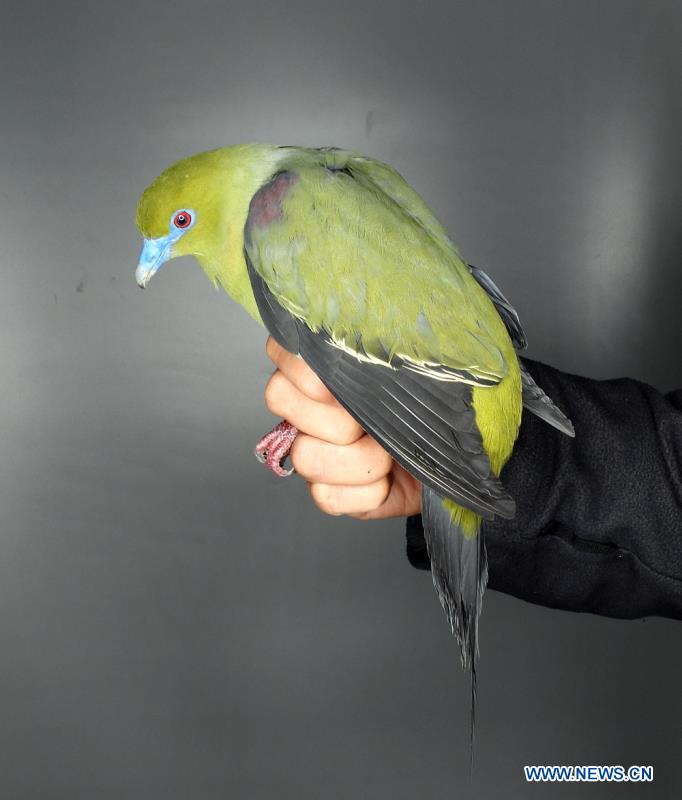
pixel 357 252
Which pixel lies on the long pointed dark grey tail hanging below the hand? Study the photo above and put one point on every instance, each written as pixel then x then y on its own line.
pixel 460 573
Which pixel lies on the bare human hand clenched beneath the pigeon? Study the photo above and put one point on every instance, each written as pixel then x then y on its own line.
pixel 346 470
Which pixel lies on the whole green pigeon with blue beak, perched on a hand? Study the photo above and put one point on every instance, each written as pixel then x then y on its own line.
pixel 346 266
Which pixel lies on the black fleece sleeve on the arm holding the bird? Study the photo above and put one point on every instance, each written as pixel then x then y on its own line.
pixel 599 517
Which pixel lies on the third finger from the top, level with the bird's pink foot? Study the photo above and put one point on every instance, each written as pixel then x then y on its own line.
pixel 356 464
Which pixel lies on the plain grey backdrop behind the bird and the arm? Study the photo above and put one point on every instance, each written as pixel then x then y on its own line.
pixel 174 622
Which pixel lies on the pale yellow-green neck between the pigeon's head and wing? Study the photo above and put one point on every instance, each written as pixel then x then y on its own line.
pixel 244 169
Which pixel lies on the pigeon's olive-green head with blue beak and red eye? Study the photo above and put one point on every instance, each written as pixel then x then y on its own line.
pixel 179 213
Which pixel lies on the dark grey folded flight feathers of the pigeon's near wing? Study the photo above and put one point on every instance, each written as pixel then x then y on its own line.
pixel 427 425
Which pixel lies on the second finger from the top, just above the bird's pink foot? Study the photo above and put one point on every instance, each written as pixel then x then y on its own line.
pixel 322 420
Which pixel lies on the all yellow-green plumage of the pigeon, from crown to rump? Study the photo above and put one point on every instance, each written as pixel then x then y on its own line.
pixel 355 264
